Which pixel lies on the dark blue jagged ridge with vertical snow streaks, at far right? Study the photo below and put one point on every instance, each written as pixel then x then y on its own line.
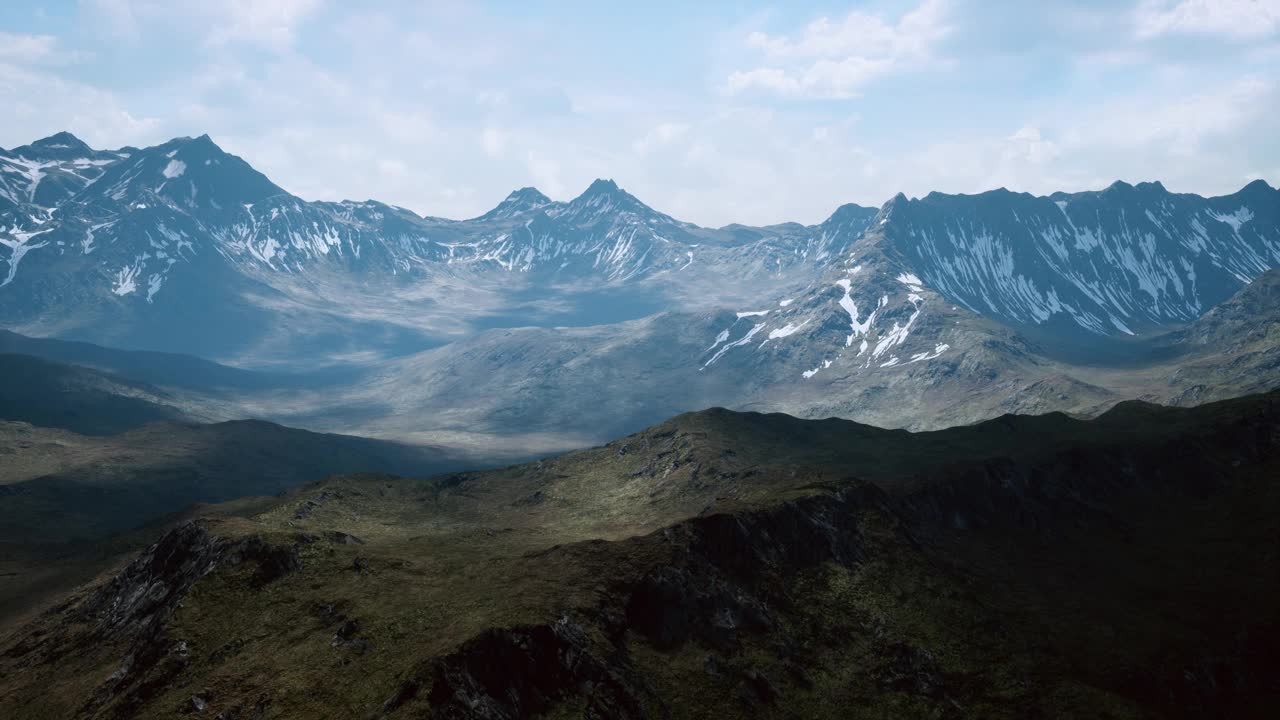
pixel 1114 262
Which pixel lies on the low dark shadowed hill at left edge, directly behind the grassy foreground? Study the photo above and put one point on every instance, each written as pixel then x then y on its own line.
pixel 61 486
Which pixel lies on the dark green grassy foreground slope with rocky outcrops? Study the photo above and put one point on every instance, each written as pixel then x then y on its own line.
pixel 719 564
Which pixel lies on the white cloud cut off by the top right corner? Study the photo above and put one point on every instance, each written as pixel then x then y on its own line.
pixel 1235 19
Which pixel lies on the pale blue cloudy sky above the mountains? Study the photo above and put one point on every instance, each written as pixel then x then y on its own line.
pixel 711 112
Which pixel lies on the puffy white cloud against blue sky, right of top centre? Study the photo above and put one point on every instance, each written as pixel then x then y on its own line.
pixel 838 60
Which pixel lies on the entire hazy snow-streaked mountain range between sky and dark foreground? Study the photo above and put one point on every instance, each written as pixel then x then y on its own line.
pixel 906 316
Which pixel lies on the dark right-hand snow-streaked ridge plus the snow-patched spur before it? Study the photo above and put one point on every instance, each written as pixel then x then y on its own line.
pixel 1084 267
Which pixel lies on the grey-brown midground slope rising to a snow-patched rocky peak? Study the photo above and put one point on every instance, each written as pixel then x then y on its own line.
pixel 884 352
